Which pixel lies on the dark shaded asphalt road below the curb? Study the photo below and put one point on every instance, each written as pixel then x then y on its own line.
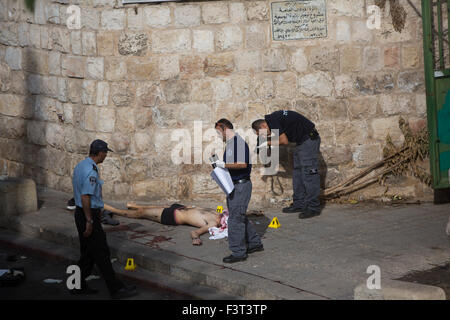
pixel 37 269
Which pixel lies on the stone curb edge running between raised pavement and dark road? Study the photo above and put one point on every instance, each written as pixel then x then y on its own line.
pixel 226 280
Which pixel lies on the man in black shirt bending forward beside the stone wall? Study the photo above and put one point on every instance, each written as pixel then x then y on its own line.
pixel 294 127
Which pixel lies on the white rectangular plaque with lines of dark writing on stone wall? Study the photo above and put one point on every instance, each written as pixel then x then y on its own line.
pixel 298 20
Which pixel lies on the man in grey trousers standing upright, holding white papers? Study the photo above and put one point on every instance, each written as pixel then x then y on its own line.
pixel 242 237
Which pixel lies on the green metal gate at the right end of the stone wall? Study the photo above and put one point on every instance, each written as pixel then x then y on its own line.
pixel 436 19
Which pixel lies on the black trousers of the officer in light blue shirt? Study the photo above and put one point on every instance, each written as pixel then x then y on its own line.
pixel 94 250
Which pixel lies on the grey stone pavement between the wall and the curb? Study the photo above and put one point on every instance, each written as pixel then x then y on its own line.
pixel 325 257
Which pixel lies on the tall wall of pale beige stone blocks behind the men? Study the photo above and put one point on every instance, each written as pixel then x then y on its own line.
pixel 134 73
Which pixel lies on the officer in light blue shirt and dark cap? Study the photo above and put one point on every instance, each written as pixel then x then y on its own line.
pixel 87 191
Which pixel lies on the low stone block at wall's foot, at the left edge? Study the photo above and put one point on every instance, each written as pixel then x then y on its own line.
pixel 17 196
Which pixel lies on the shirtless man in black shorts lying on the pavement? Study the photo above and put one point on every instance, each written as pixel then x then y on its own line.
pixel 176 214
